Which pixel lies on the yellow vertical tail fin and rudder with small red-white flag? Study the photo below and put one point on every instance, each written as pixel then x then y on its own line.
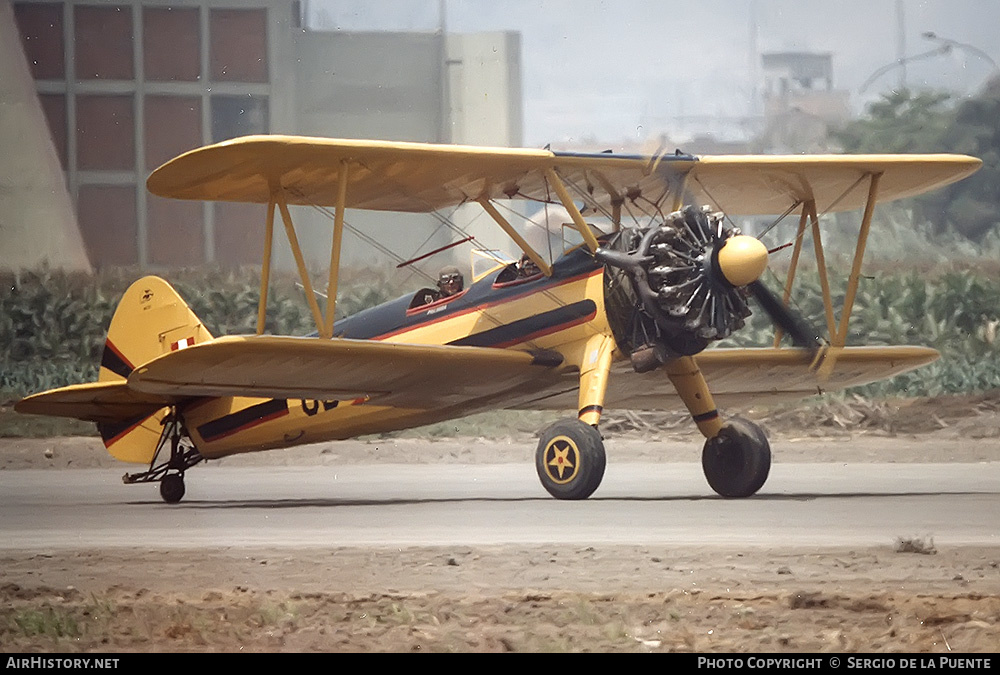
pixel 151 320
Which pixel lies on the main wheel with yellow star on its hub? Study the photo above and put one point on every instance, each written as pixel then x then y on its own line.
pixel 570 459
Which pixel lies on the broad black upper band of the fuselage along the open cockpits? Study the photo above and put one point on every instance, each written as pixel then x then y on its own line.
pixel 391 318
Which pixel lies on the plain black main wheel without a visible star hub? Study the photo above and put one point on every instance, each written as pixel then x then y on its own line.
pixel 737 461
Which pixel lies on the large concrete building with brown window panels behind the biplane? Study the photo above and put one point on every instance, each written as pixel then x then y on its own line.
pixel 127 84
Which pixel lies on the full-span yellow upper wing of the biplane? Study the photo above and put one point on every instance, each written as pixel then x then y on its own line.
pixel 420 177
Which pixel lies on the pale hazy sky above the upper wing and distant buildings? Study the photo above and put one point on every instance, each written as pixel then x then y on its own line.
pixel 628 69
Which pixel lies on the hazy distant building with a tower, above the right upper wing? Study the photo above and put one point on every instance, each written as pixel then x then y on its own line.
pixel 801 105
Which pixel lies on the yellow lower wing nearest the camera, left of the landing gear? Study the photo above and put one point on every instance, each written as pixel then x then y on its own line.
pixel 403 375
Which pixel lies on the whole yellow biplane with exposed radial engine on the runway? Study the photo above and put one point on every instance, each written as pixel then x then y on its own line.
pixel 621 319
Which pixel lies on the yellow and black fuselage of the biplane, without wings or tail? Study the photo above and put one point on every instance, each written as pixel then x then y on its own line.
pixel 558 313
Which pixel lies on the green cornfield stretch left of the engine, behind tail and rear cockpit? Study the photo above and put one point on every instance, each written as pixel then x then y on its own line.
pixel 53 324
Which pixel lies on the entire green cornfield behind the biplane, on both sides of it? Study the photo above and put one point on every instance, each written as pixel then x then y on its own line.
pixel 53 324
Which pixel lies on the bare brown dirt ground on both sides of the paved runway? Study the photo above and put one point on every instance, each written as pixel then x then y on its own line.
pixel 909 596
